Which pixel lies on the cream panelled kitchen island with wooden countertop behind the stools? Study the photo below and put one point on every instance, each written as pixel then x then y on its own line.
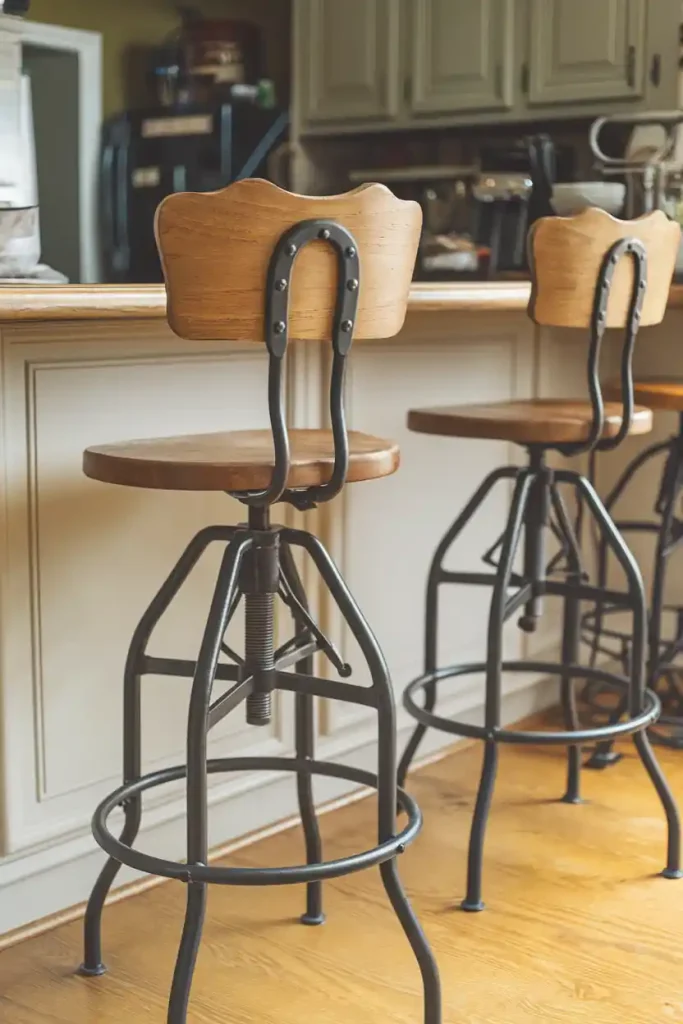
pixel 80 561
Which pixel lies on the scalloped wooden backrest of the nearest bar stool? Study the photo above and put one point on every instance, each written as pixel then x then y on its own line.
pixel 217 247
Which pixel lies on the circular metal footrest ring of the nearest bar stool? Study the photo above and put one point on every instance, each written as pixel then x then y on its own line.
pixel 253 876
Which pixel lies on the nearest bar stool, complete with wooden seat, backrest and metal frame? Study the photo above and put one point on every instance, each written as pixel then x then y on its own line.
pixel 229 260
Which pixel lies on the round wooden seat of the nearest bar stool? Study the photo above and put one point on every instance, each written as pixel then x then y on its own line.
pixel 238 460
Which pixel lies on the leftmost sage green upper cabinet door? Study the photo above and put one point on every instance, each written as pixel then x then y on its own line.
pixel 350 55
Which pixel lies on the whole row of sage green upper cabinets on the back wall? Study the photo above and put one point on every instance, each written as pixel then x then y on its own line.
pixel 405 64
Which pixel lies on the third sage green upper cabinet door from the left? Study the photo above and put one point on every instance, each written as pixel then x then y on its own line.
pixel 584 51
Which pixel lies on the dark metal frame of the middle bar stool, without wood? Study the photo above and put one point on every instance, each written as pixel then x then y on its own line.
pixel 536 496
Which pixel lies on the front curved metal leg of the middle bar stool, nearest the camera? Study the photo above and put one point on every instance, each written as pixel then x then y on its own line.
pixel 474 902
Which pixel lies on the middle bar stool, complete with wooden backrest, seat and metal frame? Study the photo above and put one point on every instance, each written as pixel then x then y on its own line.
pixel 589 272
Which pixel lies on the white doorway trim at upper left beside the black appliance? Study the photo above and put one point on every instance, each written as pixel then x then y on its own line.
pixel 89 48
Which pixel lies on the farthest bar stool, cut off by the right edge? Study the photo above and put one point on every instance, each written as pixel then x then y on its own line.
pixel 601 625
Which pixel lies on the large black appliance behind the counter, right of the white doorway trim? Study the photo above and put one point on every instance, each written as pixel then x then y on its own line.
pixel 149 155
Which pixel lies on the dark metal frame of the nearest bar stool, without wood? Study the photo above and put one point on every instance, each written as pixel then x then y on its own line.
pixel 259 566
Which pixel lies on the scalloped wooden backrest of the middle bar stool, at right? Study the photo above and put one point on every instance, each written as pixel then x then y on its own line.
pixel 567 255
